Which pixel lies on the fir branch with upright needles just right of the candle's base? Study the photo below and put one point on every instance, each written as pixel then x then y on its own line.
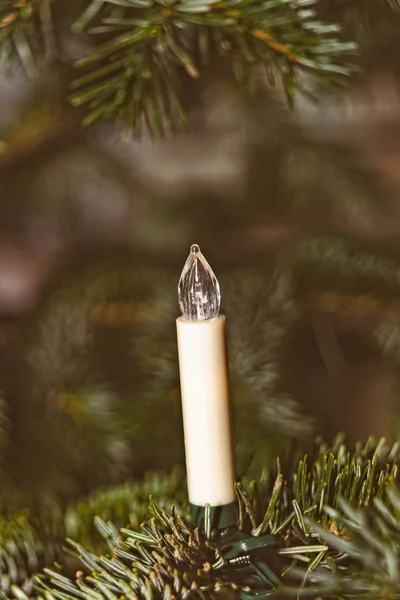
pixel 335 474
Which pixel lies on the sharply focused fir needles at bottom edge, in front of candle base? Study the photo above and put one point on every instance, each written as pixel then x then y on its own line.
pixel 167 557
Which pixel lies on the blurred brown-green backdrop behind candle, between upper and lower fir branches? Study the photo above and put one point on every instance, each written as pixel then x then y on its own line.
pixel 296 210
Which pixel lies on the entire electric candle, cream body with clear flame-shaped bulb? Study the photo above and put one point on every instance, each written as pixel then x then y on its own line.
pixel 203 366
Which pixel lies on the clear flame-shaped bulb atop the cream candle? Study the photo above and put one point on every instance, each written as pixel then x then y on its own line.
pixel 198 288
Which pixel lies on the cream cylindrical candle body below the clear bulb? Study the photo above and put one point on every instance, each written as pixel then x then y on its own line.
pixel 206 411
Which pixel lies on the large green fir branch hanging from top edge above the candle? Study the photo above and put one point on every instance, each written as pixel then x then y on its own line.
pixel 150 43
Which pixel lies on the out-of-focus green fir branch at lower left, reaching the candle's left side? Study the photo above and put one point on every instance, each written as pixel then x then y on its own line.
pixel 31 540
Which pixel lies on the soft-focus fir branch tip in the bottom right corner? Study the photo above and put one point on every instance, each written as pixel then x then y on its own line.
pixel 367 548
